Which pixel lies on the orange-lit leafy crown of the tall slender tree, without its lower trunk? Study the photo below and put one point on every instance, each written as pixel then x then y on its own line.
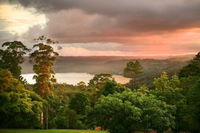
pixel 43 58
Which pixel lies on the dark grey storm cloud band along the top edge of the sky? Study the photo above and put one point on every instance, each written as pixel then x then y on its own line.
pixel 133 15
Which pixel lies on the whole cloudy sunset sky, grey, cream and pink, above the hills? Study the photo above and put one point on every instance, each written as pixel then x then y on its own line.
pixel 105 27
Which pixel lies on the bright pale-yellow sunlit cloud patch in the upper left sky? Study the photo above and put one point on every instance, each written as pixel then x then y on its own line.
pixel 16 19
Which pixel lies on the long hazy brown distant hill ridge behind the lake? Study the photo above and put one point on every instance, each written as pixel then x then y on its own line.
pixel 112 64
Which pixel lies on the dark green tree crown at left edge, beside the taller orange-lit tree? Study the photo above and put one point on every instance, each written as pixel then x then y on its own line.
pixel 12 56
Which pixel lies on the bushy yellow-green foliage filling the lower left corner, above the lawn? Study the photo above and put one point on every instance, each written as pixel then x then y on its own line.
pixel 20 108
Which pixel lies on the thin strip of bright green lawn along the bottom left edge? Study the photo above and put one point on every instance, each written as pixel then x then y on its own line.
pixel 48 131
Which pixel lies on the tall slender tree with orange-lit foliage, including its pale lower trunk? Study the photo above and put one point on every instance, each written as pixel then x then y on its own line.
pixel 43 58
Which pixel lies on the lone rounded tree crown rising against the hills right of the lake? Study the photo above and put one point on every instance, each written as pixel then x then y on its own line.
pixel 132 69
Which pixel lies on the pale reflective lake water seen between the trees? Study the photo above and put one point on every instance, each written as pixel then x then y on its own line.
pixel 74 78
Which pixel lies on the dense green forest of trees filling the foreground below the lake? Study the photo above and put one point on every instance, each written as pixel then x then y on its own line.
pixel 167 102
